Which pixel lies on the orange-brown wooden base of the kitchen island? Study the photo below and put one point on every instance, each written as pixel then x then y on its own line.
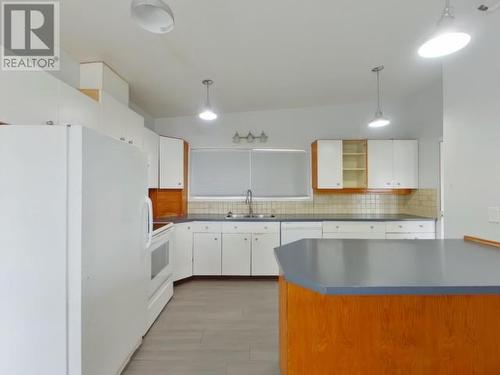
pixel 387 334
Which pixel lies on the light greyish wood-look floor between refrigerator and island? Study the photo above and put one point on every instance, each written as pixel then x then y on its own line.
pixel 213 328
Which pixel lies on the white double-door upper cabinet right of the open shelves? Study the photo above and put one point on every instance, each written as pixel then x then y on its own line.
pixel 393 164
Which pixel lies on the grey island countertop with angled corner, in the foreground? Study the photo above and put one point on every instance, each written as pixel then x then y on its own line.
pixel 391 267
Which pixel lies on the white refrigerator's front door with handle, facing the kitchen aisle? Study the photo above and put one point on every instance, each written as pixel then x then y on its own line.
pixel 114 237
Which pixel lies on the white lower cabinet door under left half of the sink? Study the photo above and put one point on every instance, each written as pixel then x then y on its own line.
pixel 236 254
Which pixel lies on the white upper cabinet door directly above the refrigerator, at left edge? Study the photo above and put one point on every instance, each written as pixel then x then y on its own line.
pixel 28 98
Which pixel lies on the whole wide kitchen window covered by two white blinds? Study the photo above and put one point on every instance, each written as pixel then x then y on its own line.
pixel 270 173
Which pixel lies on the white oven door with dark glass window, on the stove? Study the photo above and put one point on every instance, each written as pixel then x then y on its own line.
pixel 160 261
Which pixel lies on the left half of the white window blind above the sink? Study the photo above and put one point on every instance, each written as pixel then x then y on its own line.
pixel 219 173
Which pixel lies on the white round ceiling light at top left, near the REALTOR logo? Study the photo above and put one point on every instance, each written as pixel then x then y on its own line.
pixel 153 15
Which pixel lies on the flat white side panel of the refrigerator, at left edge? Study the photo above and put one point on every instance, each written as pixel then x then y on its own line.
pixel 33 195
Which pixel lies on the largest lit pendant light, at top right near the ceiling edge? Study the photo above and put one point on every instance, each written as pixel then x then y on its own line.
pixel 446 39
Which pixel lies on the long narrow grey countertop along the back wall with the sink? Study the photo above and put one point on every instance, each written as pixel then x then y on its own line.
pixel 297 217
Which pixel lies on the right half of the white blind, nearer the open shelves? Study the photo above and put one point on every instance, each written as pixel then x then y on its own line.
pixel 280 174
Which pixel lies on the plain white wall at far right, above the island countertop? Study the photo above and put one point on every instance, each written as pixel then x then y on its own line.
pixel 471 83
